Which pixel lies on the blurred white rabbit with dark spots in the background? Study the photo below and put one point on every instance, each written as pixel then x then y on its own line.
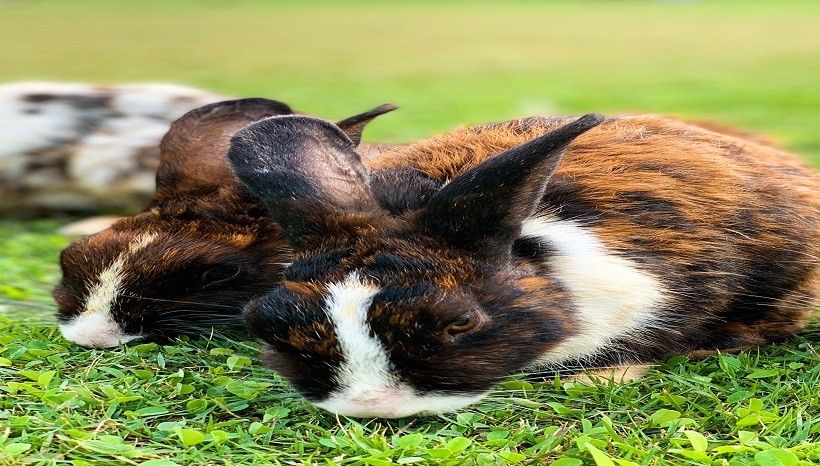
pixel 81 148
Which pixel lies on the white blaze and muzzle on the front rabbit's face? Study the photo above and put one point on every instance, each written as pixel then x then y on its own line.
pixel 367 385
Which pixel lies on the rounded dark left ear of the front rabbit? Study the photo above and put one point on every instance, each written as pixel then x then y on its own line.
pixel 304 169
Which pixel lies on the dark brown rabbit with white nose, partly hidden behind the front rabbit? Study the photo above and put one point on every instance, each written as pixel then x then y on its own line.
pixel 196 255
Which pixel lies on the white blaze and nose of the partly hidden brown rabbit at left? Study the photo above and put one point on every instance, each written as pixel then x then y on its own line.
pixel 94 326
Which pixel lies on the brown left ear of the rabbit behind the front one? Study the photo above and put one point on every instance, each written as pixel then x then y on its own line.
pixel 193 151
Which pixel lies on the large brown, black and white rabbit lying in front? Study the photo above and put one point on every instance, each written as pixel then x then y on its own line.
pixel 420 280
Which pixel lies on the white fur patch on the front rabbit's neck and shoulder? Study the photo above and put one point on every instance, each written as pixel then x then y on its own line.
pixel 615 298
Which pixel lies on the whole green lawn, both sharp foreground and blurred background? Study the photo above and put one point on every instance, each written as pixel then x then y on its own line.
pixel 753 65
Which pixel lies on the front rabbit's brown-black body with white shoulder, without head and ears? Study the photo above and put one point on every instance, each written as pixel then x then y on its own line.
pixel 678 237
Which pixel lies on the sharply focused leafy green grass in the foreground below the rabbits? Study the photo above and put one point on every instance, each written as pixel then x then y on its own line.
pixel 206 402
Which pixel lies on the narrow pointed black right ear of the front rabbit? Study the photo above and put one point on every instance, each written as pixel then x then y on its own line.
pixel 484 207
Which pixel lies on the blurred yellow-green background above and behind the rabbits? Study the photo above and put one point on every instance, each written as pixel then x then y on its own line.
pixel 754 65
